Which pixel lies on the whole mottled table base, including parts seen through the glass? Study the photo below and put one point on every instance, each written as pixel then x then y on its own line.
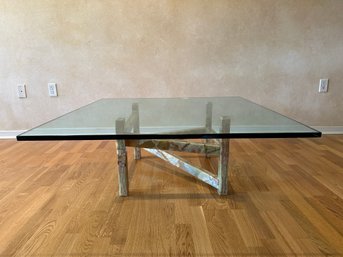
pixel 163 148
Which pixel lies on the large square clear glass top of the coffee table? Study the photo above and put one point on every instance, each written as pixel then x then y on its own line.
pixel 167 118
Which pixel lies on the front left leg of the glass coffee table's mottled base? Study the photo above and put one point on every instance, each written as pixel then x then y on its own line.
pixel 122 160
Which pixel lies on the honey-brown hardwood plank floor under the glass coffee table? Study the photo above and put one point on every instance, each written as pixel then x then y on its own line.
pixel 60 199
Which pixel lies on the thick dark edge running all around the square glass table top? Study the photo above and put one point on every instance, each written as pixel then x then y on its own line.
pixel 311 133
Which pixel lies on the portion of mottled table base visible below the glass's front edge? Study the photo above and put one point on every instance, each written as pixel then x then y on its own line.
pixel 163 148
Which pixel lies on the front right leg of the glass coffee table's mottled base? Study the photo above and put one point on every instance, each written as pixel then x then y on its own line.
pixel 224 158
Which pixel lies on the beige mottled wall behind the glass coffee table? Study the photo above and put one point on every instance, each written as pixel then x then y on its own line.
pixel 270 51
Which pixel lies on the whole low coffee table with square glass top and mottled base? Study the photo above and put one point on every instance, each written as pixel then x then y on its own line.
pixel 161 125
